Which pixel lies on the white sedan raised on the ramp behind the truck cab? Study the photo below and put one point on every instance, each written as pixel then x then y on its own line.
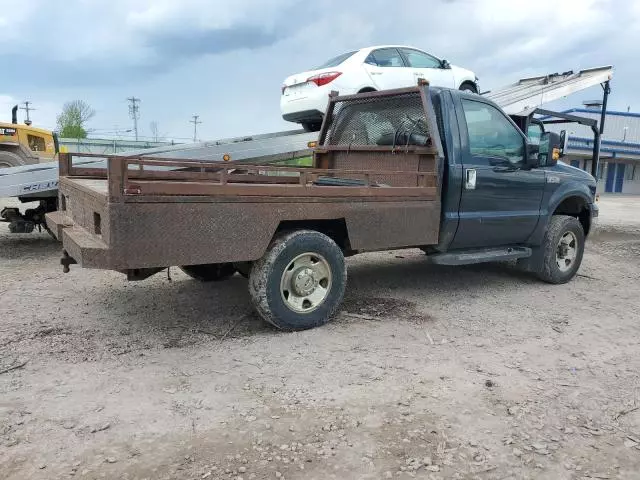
pixel 305 95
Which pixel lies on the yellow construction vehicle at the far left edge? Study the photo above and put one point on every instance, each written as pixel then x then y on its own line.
pixel 24 144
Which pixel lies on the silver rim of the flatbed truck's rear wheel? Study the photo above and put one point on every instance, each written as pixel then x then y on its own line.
pixel 306 282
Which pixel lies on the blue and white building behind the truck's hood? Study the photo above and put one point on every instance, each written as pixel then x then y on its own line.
pixel 619 168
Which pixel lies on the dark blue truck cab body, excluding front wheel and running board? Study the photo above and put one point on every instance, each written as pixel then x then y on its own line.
pixel 502 186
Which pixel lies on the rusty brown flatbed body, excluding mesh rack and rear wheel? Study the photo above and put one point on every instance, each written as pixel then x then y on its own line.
pixel 137 219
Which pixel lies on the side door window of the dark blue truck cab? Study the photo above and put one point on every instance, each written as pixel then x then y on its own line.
pixel 491 134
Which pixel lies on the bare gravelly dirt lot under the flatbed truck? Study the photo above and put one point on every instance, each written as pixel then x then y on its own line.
pixel 429 372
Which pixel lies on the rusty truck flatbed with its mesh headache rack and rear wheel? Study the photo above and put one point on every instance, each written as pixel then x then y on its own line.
pixel 371 187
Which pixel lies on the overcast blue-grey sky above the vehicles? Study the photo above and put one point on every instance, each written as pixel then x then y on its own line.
pixel 226 60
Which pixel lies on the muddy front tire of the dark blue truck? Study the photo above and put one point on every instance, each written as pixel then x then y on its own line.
pixel 560 228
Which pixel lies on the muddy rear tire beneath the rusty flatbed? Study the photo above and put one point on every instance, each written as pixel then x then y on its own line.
pixel 268 278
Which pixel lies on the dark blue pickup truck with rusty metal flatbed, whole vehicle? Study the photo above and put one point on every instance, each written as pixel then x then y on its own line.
pixel 432 168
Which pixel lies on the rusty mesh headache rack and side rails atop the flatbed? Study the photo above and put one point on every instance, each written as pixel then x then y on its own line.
pixel 373 145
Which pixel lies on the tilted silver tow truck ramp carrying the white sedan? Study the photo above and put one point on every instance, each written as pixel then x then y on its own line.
pixel 519 98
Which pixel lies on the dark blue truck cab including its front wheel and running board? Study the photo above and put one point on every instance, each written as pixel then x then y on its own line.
pixel 504 194
